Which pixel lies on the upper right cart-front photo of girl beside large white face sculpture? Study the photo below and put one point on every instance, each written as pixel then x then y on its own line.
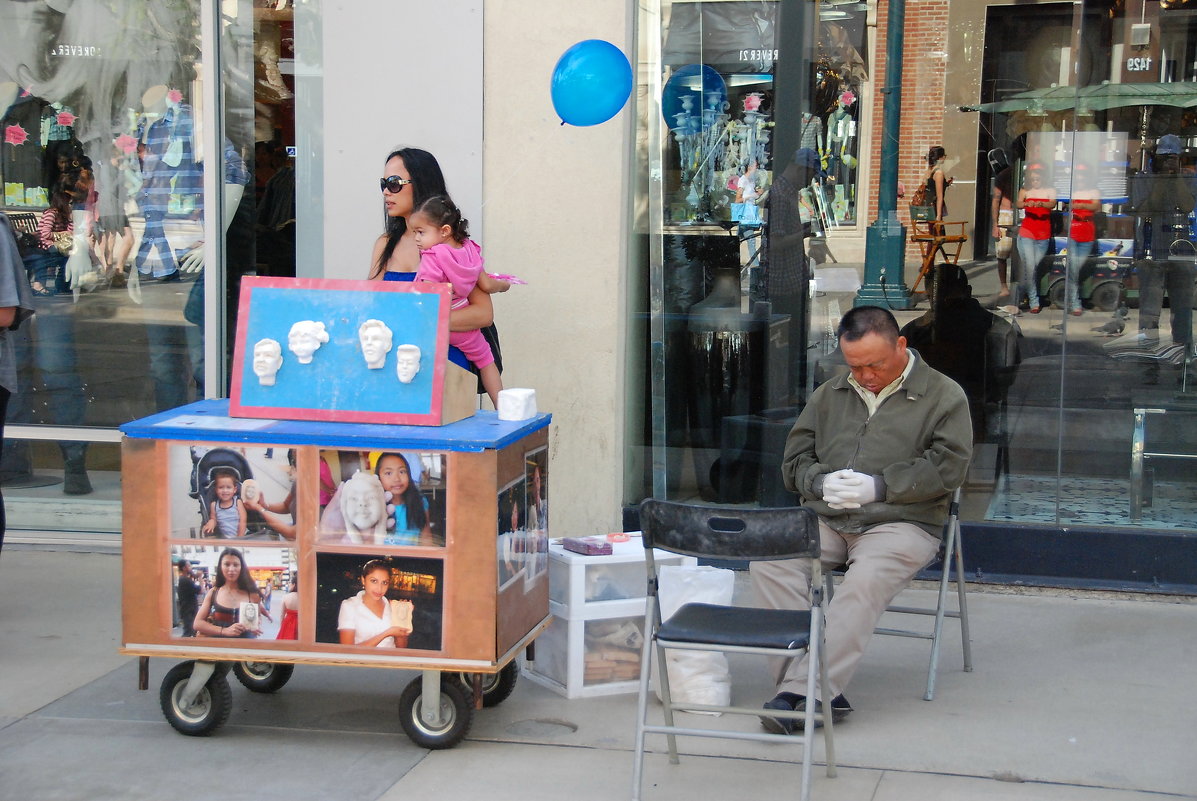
pixel 384 499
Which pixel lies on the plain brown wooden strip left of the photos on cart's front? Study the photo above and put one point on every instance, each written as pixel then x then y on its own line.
pixel 144 561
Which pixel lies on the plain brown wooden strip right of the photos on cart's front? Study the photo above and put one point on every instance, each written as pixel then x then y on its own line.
pixel 471 566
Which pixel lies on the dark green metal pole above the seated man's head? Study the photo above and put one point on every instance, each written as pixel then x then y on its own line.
pixel 885 246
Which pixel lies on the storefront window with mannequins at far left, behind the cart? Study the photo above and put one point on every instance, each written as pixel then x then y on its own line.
pixel 110 136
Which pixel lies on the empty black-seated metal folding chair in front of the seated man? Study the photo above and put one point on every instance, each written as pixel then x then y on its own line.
pixel 738 536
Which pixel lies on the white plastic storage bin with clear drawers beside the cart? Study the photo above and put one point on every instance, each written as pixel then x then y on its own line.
pixel 593 646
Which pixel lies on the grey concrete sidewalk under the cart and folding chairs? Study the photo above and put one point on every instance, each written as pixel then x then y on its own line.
pixel 1073 699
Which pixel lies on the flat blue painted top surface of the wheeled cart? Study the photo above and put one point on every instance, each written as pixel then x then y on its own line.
pixel 209 422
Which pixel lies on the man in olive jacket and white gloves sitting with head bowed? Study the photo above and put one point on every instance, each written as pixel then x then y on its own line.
pixel 877 454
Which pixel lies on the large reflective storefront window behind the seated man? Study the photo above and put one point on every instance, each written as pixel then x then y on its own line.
pixel 1072 333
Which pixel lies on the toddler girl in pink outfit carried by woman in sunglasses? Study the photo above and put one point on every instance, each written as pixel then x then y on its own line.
pixel 449 257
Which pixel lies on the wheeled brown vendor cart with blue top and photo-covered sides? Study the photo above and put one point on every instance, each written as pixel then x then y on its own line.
pixel 476 575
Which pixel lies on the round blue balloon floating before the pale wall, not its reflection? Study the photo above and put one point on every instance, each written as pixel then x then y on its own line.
pixel 592 82
